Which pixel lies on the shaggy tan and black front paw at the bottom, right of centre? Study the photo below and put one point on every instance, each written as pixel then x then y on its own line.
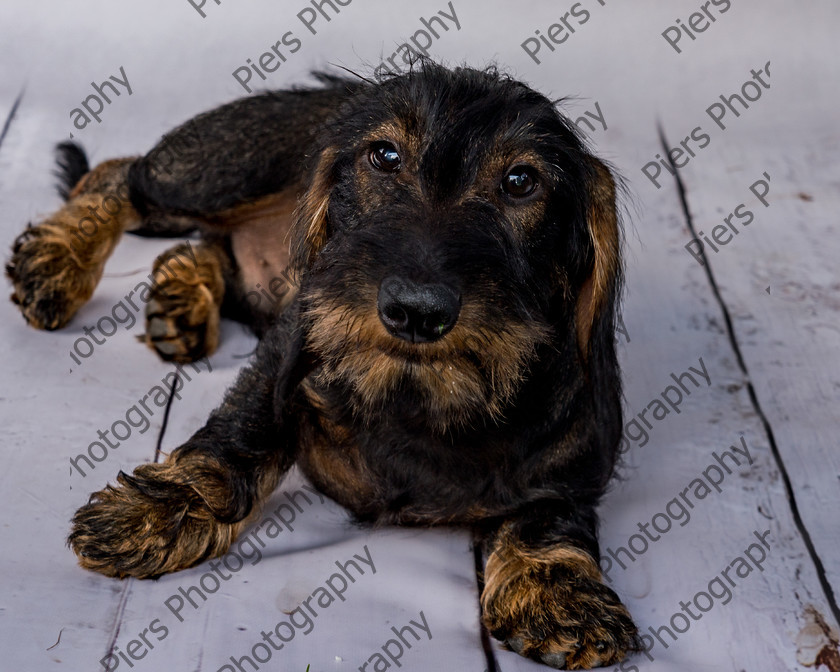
pixel 558 613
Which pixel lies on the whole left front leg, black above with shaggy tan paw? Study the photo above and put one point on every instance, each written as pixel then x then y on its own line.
pixel 166 517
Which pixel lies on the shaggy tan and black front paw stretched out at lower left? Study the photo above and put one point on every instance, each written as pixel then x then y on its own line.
pixel 152 523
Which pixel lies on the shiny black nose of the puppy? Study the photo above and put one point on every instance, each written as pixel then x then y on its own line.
pixel 415 312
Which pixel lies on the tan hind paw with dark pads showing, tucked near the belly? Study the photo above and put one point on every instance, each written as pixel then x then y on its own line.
pixel 182 315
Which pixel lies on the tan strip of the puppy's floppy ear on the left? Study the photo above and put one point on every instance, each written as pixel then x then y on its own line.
pixel 309 230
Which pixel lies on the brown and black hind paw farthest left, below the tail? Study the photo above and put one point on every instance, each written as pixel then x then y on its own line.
pixel 50 279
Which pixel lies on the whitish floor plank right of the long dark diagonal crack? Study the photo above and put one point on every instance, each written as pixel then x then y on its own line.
pixel 782 143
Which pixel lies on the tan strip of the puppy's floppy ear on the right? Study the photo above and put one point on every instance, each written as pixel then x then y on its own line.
pixel 596 304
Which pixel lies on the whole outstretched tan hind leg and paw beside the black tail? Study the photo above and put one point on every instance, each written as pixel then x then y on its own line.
pixel 56 265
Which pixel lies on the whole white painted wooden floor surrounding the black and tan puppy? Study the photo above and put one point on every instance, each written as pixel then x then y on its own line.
pixel 760 321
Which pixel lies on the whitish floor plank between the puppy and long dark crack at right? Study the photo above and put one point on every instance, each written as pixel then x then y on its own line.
pixel 749 627
